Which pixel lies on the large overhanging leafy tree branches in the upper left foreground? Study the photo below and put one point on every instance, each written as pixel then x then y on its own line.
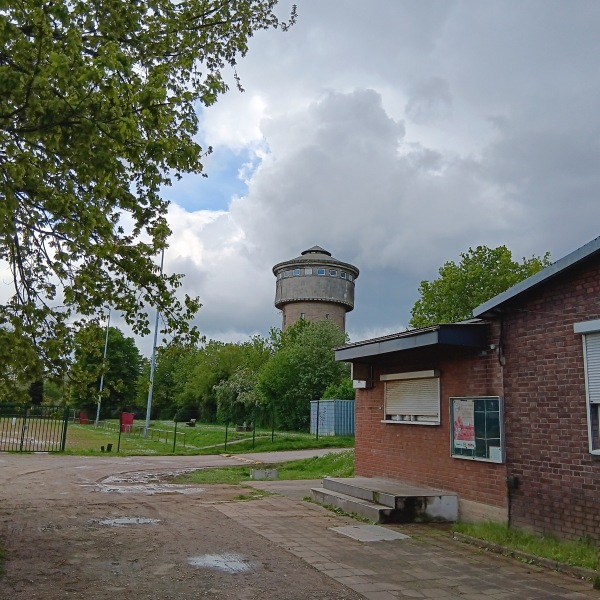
pixel 98 103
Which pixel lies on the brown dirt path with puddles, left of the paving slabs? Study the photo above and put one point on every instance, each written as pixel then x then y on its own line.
pixel 104 527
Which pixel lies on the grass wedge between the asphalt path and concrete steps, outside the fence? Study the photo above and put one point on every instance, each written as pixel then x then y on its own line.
pixel 332 465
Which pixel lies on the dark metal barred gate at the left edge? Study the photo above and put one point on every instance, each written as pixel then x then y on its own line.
pixel 26 428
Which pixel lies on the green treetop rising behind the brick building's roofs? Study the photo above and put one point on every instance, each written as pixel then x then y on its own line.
pixel 481 274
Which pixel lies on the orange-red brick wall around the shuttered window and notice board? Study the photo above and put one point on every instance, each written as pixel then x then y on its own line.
pixel 420 453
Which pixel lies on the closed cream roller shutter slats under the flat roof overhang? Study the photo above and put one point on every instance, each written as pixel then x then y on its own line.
pixel 415 401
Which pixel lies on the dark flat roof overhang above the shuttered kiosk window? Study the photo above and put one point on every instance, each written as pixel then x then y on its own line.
pixel 468 334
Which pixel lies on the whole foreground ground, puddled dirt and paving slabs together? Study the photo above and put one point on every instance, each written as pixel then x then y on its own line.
pixel 291 547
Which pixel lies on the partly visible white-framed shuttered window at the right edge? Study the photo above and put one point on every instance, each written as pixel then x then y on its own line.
pixel 590 334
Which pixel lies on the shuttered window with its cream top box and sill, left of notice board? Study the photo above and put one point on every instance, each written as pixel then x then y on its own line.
pixel 415 388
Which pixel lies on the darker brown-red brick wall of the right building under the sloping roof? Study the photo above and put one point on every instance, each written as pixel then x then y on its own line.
pixel 545 409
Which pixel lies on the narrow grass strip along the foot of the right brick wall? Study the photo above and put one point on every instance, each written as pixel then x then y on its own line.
pixel 579 554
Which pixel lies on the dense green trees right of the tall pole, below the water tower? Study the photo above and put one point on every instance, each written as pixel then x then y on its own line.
pixel 254 381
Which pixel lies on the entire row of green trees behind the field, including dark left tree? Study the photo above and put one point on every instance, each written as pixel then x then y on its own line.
pixel 264 380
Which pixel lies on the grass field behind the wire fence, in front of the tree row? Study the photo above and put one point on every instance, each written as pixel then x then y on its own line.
pixel 202 439
